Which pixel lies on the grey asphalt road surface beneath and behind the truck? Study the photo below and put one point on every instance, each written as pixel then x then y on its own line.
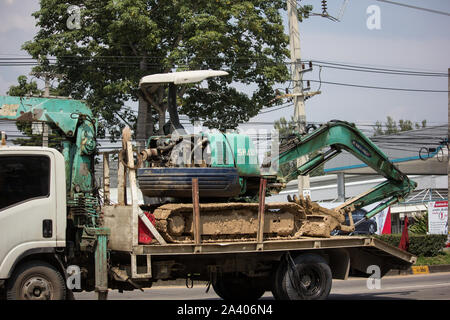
pixel 434 286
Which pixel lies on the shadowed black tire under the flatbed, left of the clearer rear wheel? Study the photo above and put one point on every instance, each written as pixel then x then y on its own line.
pixel 239 287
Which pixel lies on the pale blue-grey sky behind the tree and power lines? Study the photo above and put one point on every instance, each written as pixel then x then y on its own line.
pixel 408 39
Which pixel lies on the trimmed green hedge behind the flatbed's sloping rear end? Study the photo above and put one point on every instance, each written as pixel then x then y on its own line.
pixel 419 245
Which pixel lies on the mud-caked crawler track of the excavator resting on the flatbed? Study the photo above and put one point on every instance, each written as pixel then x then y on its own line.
pixel 239 222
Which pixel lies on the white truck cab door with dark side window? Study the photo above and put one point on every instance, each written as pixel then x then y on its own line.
pixel 27 205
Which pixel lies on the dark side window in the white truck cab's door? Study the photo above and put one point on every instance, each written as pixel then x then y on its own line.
pixel 23 178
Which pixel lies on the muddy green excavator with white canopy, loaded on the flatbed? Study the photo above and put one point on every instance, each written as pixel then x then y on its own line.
pixel 229 176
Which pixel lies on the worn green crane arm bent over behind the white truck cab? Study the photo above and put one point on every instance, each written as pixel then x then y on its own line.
pixel 76 122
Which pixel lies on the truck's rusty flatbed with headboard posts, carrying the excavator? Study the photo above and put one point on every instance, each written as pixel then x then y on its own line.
pixel 238 269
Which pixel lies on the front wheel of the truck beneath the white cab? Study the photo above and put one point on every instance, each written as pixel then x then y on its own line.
pixel 36 280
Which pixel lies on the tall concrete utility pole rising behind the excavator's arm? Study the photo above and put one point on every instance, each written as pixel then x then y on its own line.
pixel 298 96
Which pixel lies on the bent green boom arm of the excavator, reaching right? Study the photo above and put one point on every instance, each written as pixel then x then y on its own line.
pixel 338 136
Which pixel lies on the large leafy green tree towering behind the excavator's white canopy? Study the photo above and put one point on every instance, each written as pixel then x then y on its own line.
pixel 118 42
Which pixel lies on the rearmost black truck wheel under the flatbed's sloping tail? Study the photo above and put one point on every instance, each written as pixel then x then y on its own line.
pixel 315 275
